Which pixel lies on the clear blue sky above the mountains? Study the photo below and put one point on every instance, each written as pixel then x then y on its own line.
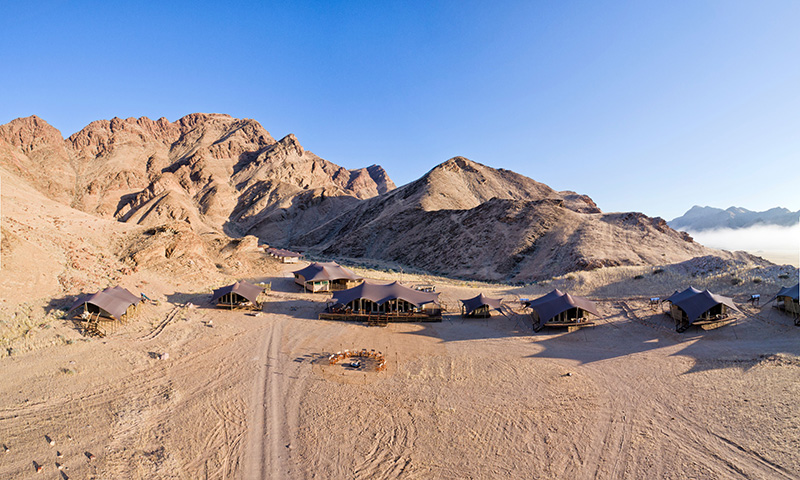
pixel 646 106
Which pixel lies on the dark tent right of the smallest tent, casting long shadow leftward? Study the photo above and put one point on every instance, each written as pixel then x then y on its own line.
pixel 559 309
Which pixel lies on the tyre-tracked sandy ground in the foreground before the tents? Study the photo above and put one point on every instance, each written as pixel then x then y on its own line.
pixel 254 397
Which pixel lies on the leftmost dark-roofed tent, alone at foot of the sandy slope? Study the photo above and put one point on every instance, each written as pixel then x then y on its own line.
pixel 111 305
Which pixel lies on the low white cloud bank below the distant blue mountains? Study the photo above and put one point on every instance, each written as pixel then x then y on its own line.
pixel 775 243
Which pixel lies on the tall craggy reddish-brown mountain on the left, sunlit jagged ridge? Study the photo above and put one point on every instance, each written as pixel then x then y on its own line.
pixel 210 170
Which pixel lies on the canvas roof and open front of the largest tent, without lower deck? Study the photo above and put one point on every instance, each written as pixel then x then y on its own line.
pixel 393 298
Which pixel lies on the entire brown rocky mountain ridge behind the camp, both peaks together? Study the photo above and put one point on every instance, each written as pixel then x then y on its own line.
pixel 226 176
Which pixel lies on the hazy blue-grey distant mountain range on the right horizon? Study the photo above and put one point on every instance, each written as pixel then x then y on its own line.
pixel 708 218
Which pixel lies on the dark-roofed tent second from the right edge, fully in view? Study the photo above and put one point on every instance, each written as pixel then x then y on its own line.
pixel 695 307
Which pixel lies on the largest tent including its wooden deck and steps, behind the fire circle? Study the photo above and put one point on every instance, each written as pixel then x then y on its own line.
pixel 390 302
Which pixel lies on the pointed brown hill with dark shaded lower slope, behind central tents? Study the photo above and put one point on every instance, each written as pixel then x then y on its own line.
pixel 468 220
